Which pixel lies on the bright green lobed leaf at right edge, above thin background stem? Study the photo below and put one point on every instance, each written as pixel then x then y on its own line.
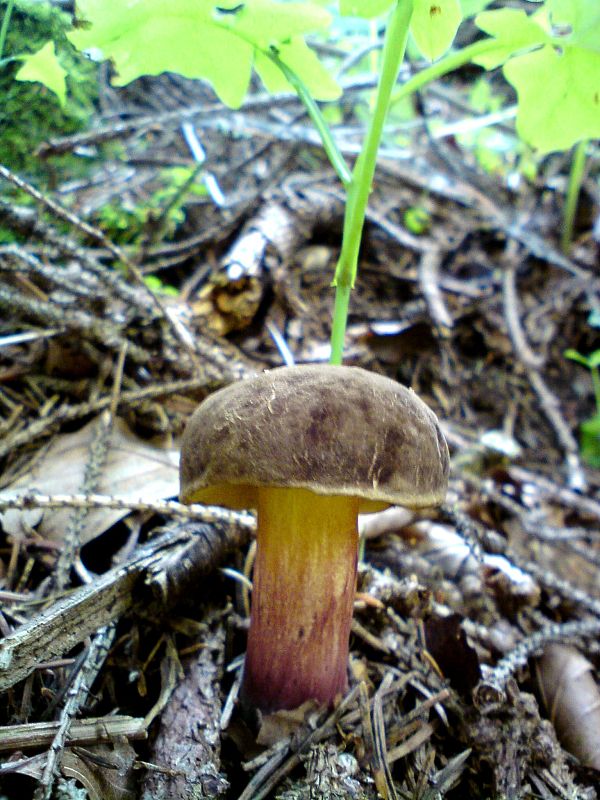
pixel 559 96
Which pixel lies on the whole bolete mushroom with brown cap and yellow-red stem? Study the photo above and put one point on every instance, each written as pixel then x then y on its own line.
pixel 309 447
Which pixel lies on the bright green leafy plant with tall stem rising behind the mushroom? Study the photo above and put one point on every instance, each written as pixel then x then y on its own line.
pixel 550 57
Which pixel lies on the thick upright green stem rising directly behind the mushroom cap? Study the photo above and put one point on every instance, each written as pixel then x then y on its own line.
pixel 364 170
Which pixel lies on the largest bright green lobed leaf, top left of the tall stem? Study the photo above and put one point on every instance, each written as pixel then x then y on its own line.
pixel 197 38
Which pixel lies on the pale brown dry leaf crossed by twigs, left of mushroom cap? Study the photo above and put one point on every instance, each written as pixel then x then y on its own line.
pixel 134 470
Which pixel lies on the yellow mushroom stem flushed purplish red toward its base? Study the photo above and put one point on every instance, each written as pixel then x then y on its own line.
pixel 304 584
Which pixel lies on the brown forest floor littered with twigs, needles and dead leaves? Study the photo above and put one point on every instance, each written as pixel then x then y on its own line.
pixel 474 644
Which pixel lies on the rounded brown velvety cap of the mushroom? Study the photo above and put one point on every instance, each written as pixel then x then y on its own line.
pixel 333 430
